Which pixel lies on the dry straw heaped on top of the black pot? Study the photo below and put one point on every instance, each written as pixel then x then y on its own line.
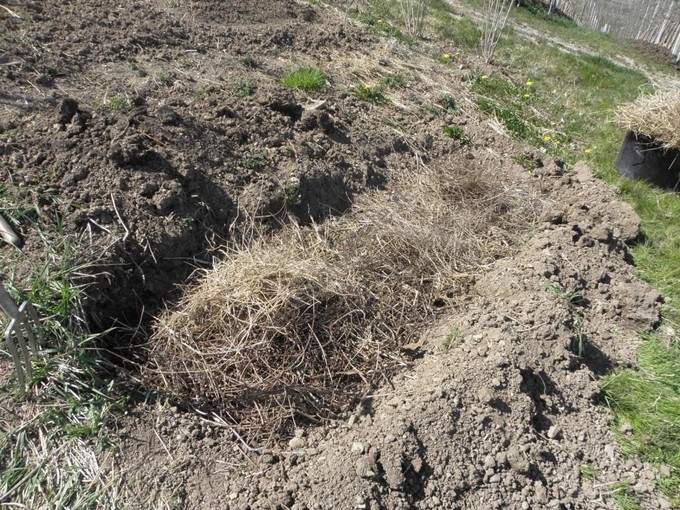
pixel 656 116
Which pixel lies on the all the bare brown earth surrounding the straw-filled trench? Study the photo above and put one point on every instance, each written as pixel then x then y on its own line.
pixel 503 409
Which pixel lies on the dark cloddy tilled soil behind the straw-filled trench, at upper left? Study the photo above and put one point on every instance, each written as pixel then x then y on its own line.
pixel 126 120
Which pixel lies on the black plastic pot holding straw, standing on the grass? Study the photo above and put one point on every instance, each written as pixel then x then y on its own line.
pixel 643 158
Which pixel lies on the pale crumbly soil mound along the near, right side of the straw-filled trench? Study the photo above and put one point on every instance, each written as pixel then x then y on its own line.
pixel 504 411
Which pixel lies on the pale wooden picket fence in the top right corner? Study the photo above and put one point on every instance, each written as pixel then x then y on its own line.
pixel 654 21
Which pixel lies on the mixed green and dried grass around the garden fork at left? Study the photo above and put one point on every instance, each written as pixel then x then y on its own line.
pixel 47 453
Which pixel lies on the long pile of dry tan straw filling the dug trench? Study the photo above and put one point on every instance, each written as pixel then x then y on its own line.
pixel 294 325
